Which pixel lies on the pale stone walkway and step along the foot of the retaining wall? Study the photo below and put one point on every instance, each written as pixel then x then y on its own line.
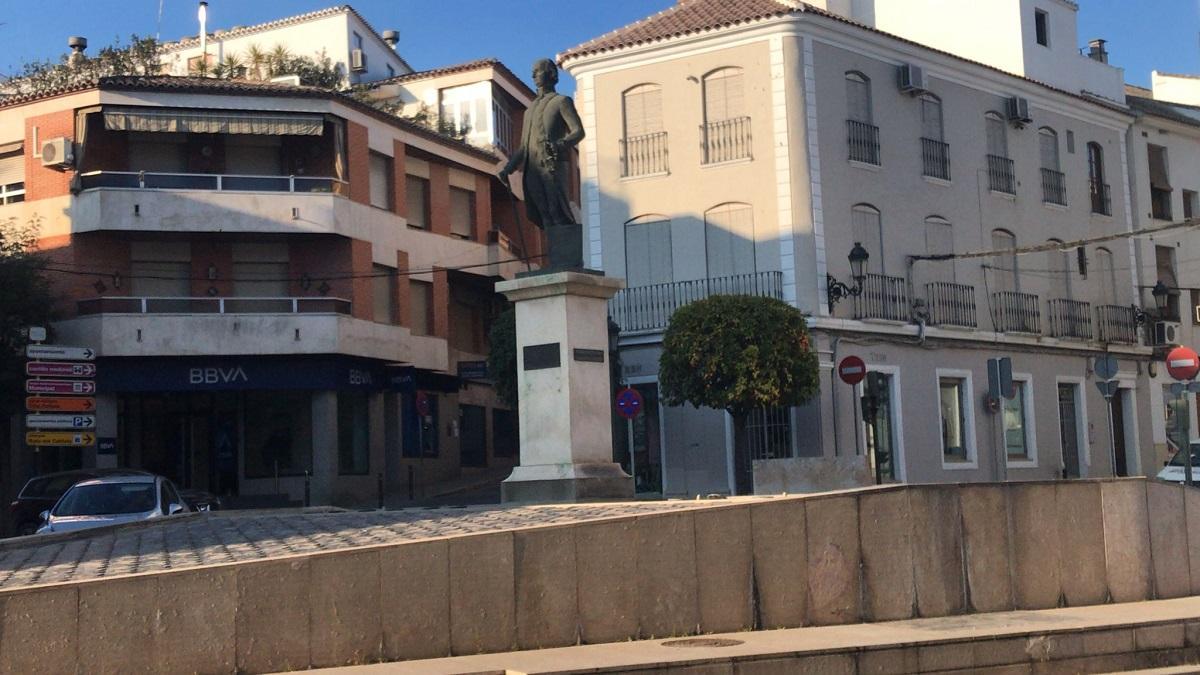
pixel 986 641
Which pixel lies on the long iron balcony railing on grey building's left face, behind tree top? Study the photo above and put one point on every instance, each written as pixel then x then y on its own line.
pixel 650 308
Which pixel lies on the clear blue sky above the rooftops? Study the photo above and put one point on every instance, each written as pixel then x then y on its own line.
pixel 1143 34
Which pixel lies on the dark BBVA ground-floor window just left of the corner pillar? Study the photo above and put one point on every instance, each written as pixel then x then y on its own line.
pixel 279 443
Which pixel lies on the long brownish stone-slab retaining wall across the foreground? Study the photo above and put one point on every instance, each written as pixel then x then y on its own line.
pixel 866 555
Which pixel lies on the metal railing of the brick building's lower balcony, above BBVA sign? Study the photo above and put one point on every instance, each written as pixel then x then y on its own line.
pixel 213 306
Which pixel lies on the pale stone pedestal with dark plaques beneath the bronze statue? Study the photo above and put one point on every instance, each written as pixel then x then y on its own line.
pixel 565 398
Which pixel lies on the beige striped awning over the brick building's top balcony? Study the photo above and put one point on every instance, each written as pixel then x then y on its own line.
pixel 213 122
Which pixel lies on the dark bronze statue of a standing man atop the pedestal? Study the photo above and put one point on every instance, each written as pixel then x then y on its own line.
pixel 550 132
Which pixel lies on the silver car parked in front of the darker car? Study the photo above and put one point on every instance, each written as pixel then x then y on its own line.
pixel 112 500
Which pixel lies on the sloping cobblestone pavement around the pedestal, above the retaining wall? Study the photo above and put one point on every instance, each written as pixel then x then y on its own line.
pixel 221 539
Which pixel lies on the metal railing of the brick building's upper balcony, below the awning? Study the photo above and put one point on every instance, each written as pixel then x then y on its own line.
pixel 231 183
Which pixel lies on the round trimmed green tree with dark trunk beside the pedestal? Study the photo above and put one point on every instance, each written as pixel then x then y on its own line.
pixel 739 354
